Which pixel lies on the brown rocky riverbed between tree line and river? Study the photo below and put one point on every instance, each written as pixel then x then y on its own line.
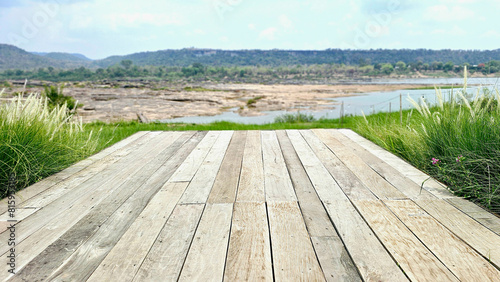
pixel 116 101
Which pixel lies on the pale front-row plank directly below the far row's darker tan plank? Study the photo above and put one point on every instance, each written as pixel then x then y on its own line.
pixel 207 255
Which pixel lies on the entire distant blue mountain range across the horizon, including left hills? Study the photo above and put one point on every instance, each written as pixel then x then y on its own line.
pixel 12 57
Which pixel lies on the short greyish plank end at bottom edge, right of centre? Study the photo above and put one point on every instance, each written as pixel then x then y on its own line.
pixel 334 259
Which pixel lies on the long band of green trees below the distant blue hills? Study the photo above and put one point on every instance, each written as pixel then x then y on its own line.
pixel 198 71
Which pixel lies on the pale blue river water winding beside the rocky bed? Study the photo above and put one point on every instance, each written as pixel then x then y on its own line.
pixel 361 103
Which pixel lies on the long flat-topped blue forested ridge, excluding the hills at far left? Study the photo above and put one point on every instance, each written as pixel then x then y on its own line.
pixel 275 58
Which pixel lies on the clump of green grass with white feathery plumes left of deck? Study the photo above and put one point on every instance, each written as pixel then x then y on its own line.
pixel 37 141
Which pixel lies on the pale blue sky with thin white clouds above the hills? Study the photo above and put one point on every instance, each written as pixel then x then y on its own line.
pixel 101 28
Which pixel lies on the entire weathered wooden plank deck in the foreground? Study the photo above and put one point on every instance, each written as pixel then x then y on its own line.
pixel 295 205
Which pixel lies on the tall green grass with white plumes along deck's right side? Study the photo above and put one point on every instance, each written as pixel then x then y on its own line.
pixel 456 141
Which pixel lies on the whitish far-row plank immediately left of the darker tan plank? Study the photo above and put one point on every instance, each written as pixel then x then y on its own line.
pixel 201 184
